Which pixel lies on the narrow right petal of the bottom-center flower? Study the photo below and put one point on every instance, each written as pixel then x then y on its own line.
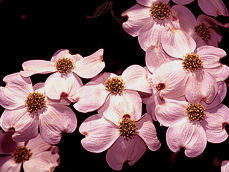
pixel 147 131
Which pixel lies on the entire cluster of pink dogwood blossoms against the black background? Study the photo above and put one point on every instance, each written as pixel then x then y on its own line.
pixel 182 86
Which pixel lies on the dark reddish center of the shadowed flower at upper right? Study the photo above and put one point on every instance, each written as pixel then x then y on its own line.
pixel 203 31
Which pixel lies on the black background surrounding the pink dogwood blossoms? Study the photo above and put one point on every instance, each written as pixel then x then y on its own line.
pixel 36 29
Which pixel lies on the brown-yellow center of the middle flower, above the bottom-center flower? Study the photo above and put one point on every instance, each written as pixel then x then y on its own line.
pixel 114 85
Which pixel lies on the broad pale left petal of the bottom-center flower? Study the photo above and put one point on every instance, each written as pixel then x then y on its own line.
pixel 99 133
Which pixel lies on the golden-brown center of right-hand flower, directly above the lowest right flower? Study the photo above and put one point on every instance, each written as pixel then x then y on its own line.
pixel 192 62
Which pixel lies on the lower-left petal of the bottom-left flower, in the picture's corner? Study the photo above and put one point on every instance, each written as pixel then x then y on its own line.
pixel 7 164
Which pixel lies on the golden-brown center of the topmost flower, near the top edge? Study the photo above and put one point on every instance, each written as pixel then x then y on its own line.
pixel 160 11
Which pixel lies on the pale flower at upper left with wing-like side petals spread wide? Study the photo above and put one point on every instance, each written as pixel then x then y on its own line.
pixel 65 68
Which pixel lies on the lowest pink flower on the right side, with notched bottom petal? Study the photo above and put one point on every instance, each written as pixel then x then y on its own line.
pixel 191 125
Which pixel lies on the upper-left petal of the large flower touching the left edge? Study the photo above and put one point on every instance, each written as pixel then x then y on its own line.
pixel 17 88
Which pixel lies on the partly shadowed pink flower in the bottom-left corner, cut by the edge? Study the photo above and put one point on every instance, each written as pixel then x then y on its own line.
pixel 34 155
